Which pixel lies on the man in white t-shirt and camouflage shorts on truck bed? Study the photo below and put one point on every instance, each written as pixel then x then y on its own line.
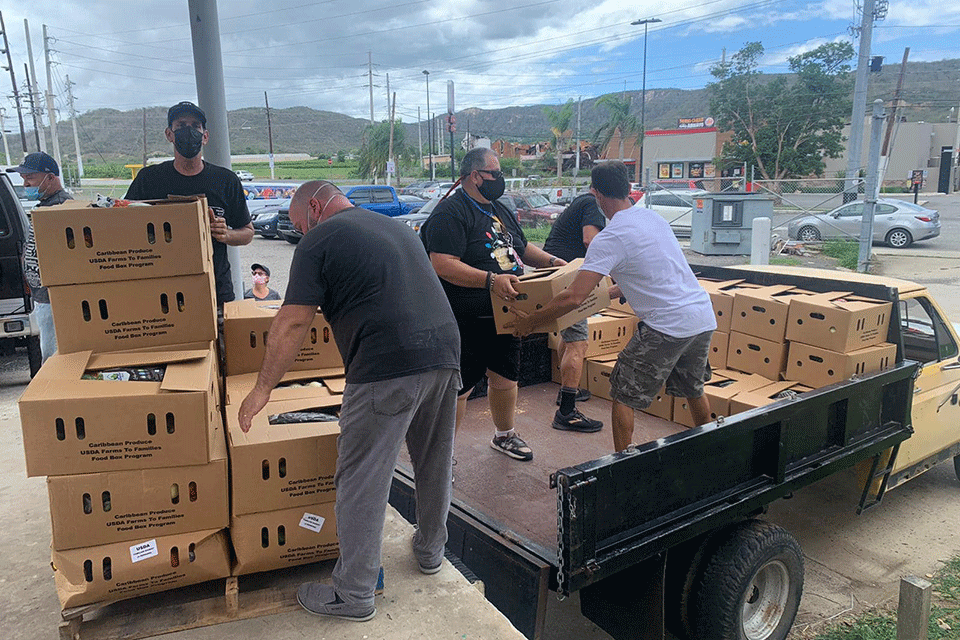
pixel 639 251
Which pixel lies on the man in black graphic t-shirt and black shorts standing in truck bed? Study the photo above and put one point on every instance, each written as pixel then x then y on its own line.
pixel 476 246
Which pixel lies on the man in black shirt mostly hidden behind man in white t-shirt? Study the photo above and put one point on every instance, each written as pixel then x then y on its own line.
pixel 571 233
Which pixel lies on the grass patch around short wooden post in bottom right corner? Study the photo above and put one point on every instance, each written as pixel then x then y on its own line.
pixel 882 625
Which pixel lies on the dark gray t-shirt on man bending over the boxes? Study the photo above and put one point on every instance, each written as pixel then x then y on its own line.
pixel 374 283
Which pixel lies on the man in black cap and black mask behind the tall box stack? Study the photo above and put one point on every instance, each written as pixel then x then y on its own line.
pixel 188 175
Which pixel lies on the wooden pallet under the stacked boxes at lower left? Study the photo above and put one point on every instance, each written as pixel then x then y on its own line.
pixel 202 605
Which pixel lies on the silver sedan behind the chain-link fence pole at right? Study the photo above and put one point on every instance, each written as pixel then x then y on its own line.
pixel 897 223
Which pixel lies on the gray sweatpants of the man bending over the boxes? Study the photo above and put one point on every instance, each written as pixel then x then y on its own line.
pixel 375 419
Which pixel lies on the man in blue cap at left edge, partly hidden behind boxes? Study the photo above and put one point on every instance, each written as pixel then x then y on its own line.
pixel 41 179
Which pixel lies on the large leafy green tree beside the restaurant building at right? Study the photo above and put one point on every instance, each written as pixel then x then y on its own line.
pixel 784 126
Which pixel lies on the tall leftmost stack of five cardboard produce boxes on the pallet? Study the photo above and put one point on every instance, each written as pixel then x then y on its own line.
pixel 125 419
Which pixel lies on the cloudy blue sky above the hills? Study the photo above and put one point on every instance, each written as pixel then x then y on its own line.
pixel 126 54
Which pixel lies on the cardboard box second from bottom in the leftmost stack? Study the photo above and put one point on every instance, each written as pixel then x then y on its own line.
pixel 119 506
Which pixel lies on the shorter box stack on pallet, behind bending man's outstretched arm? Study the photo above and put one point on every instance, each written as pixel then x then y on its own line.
pixel 282 469
